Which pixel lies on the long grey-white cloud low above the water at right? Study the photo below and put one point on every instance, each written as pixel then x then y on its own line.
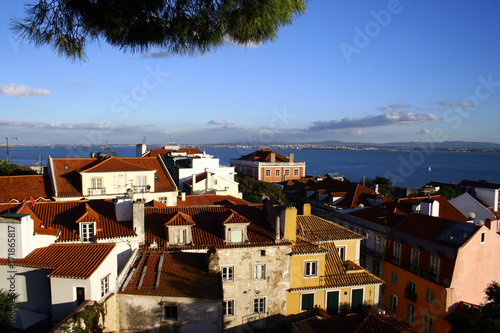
pixel 393 118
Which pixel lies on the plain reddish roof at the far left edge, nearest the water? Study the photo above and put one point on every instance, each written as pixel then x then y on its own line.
pixel 21 188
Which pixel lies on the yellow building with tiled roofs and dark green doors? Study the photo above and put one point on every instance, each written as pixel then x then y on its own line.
pixel 324 268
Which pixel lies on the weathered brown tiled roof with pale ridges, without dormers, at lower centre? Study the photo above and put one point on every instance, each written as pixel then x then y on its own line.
pixel 173 274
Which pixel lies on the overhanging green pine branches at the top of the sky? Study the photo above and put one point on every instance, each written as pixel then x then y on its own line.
pixel 179 26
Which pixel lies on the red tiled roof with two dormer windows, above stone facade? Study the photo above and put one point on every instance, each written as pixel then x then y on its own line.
pixel 208 230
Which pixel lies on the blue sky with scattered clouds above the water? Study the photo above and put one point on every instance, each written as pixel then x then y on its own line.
pixel 363 71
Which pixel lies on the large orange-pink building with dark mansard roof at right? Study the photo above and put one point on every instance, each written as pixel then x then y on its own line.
pixel 433 263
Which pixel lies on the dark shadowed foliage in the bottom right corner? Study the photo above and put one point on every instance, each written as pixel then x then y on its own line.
pixel 488 318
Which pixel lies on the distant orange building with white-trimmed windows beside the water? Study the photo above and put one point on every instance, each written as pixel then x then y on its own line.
pixel 269 166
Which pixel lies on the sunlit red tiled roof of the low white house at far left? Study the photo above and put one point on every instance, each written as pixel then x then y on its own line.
pixel 67 260
